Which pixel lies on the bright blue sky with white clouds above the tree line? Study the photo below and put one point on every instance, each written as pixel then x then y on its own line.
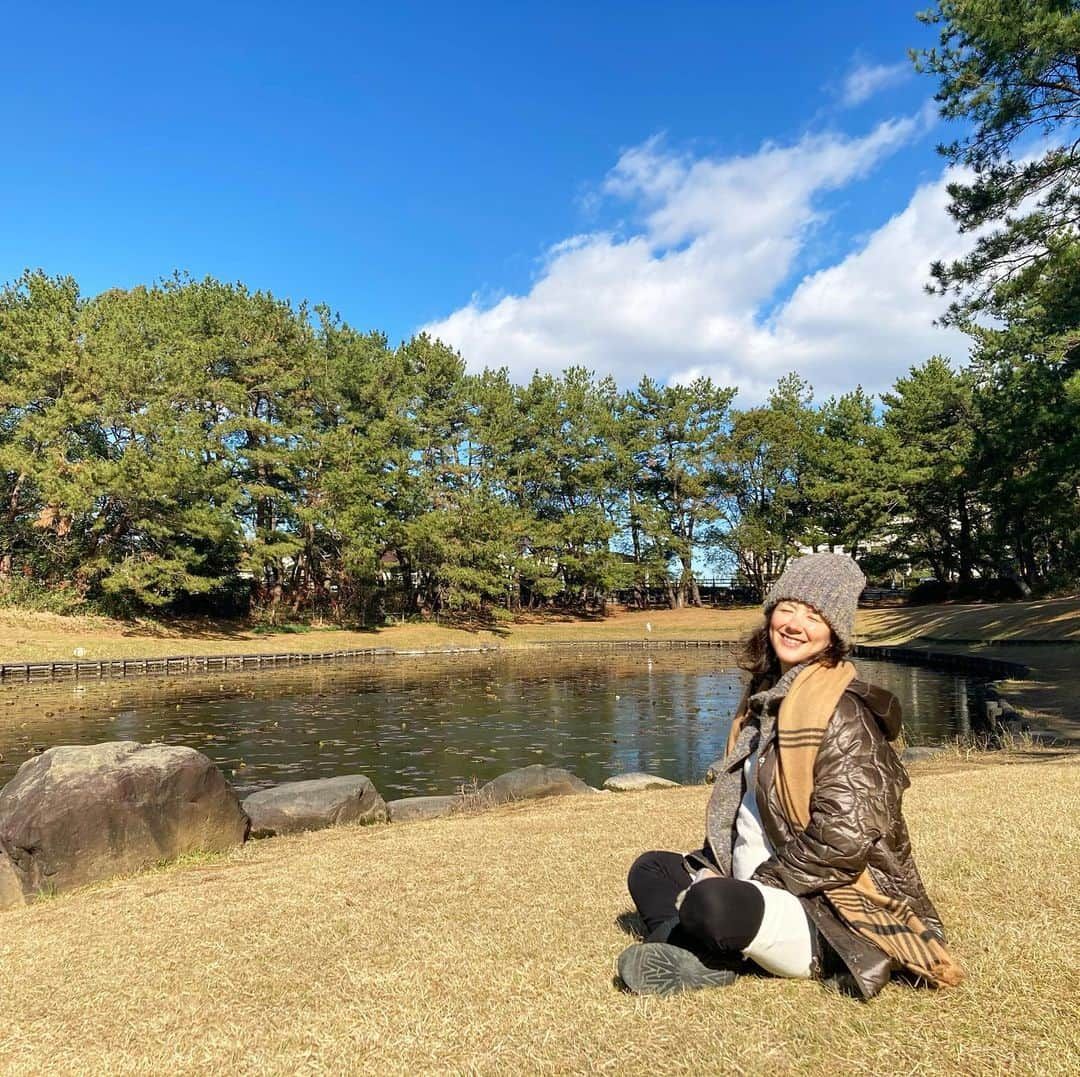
pixel 670 190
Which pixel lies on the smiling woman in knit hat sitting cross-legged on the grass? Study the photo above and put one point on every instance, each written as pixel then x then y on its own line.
pixel 807 869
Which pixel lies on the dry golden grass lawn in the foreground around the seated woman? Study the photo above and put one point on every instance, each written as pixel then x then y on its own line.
pixel 485 945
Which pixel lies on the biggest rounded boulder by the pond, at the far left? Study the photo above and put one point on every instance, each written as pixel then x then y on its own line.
pixel 77 815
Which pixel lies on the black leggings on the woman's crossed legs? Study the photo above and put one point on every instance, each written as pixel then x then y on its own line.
pixel 722 914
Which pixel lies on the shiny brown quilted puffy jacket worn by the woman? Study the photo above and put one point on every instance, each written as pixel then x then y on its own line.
pixel 856 823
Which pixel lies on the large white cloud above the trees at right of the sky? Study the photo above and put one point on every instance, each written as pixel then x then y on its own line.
pixel 688 293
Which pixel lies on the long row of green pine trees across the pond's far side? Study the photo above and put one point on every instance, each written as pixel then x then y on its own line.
pixel 194 446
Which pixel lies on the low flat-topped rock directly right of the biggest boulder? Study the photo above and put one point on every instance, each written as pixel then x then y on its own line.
pixel 315 805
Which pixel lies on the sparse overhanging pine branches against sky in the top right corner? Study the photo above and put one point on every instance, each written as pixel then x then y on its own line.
pixel 1008 69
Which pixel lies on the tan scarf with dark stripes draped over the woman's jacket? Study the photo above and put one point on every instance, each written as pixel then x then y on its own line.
pixel 888 923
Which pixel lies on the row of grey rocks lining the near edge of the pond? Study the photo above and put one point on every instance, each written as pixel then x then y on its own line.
pixel 78 815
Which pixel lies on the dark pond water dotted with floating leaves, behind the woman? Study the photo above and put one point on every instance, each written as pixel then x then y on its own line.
pixel 426 724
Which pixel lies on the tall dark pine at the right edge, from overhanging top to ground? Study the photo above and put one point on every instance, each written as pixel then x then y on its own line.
pixel 1010 71
